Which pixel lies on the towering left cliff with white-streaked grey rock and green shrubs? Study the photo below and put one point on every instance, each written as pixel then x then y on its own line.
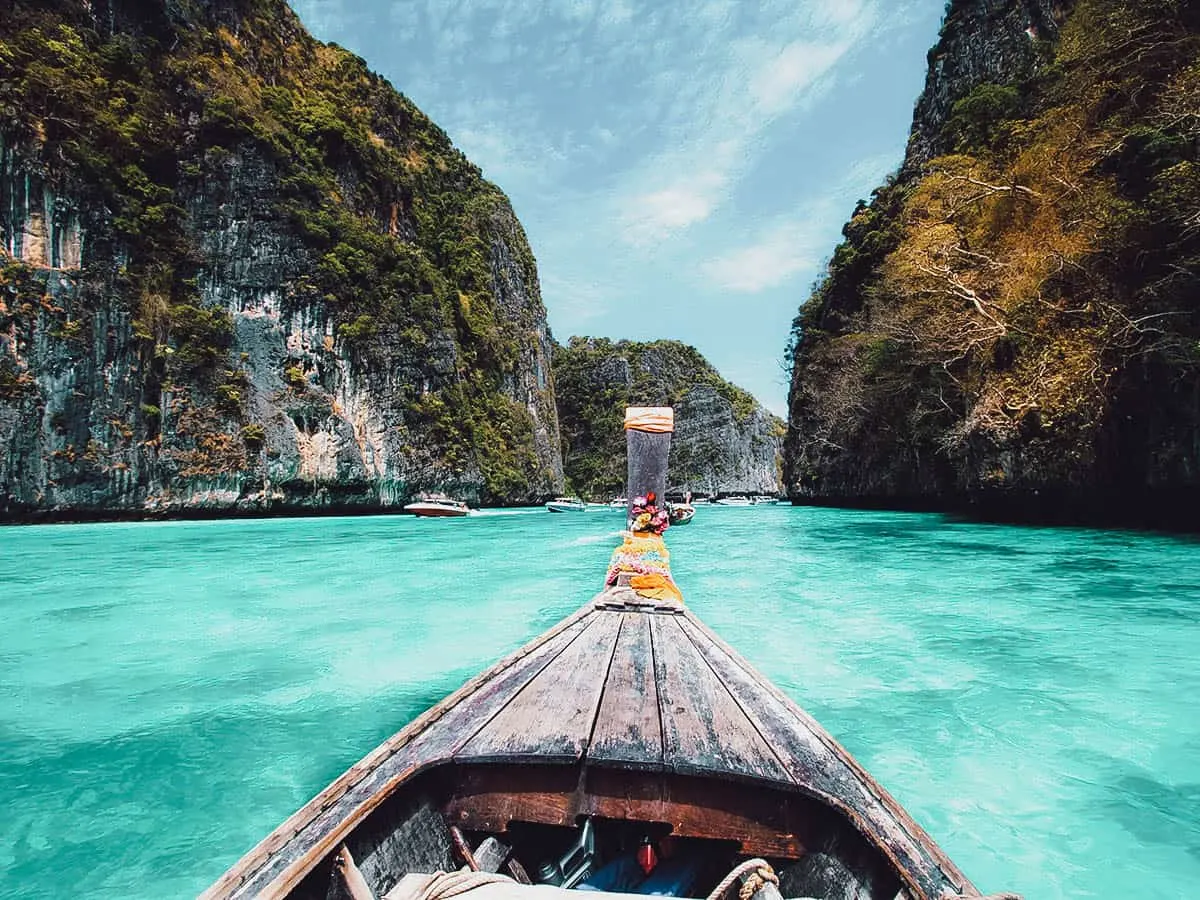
pixel 239 273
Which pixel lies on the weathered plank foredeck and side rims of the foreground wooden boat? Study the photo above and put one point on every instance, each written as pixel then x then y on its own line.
pixel 623 685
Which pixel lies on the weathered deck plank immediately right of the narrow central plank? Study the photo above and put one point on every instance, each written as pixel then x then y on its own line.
pixel 704 729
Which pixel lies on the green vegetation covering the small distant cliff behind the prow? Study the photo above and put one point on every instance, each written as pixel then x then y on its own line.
pixel 597 379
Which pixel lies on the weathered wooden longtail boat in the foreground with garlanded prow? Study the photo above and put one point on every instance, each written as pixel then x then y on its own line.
pixel 627 751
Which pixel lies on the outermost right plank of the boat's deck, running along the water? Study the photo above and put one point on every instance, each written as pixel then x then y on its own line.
pixel 824 769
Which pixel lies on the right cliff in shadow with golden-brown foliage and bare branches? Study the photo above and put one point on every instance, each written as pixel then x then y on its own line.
pixel 1011 323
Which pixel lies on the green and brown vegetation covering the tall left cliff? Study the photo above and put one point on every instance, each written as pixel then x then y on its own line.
pixel 141 113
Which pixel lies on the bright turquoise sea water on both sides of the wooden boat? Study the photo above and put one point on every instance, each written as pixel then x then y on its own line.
pixel 171 692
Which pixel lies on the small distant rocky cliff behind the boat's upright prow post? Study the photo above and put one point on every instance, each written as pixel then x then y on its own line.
pixel 724 441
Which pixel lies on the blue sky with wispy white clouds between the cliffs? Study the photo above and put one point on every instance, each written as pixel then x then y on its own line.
pixel 682 167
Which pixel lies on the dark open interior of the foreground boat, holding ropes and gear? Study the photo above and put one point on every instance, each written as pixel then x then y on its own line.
pixel 589 830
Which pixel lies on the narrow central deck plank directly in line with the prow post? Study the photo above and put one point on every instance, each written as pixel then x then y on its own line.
pixel 628 730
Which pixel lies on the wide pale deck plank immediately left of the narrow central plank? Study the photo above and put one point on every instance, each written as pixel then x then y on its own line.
pixel 551 717
